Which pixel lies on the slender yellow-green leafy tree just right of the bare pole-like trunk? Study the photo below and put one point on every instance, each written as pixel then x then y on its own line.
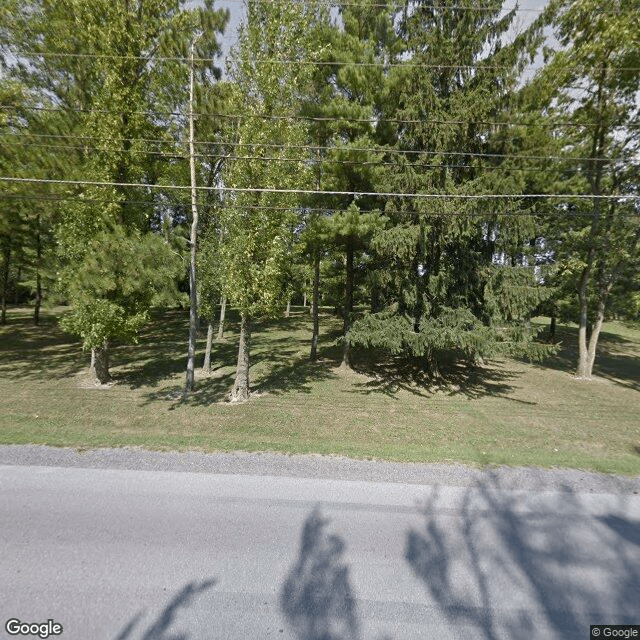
pixel 257 224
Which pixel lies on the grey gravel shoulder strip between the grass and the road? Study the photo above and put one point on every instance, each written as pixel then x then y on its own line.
pixel 317 466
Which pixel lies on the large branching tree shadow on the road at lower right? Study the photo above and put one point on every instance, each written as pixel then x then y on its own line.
pixel 518 570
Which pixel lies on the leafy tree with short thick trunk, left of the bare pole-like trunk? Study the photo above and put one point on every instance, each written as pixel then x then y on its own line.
pixel 114 87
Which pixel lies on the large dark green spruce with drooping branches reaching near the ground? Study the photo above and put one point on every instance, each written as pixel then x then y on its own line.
pixel 445 293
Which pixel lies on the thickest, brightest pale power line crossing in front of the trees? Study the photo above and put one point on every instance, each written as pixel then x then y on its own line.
pixel 356 194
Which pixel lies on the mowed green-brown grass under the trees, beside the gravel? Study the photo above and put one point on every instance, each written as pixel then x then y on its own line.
pixel 508 412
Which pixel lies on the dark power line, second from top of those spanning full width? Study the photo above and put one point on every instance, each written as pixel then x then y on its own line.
pixel 293 117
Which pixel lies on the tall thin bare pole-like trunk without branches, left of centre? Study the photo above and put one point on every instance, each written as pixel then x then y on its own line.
pixel 193 292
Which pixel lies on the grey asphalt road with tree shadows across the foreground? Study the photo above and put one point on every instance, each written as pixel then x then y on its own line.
pixel 157 554
